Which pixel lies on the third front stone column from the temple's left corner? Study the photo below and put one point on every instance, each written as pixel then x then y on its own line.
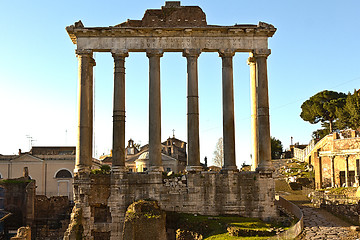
pixel 154 110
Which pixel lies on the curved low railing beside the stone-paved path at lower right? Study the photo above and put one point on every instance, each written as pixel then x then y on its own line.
pixel 296 229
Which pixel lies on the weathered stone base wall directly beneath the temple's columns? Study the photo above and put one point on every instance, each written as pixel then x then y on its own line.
pixel 247 194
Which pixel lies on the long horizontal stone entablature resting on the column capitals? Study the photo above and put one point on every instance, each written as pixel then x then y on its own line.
pixel 210 38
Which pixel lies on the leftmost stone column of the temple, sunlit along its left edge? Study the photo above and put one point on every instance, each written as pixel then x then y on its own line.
pixel 85 109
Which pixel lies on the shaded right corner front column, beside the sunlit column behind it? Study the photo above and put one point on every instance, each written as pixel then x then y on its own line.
pixel 263 121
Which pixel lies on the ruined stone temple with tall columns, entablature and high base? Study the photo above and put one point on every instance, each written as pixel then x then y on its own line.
pixel 173 28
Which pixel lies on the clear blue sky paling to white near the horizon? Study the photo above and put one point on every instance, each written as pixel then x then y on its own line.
pixel 316 47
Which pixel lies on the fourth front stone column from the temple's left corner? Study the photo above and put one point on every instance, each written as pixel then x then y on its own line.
pixel 193 162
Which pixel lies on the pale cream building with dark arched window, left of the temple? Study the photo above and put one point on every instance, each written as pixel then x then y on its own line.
pixel 51 167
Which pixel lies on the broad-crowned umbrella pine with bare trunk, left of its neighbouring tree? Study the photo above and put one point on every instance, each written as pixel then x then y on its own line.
pixel 322 107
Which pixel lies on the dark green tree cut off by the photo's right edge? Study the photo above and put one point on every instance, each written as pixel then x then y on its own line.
pixel 349 114
